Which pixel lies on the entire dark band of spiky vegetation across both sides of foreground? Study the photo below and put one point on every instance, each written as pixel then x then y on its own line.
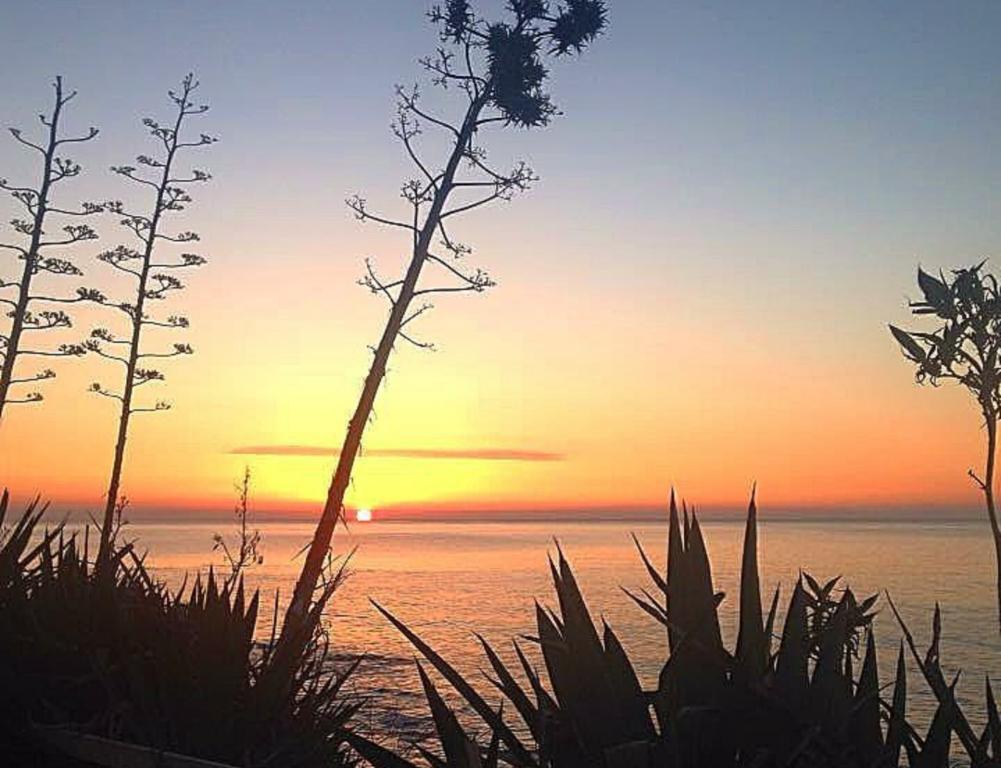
pixel 128 660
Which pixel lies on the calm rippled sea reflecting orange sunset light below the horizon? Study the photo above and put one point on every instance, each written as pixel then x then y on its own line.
pixel 449 579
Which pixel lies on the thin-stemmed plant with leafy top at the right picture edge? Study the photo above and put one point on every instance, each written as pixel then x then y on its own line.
pixel 964 348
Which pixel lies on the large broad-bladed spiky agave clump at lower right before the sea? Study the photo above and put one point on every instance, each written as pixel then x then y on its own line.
pixel 813 700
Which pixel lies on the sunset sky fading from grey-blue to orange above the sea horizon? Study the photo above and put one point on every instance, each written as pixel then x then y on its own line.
pixel 732 208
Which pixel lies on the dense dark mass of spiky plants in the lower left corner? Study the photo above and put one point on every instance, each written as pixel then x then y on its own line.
pixel 131 660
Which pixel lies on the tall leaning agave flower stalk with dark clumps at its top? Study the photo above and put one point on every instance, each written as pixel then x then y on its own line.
pixel 500 72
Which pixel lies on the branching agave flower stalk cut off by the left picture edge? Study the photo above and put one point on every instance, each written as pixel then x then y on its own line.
pixel 21 294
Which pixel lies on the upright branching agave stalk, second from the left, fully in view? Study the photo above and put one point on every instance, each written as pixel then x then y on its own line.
pixel 153 277
